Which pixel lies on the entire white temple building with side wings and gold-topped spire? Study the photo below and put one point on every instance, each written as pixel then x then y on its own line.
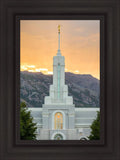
pixel 58 119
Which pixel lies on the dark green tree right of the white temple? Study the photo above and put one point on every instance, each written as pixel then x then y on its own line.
pixel 95 128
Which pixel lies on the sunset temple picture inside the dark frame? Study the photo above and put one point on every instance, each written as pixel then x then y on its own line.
pixel 63 98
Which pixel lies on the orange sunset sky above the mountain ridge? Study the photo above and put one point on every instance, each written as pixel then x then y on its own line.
pixel 79 43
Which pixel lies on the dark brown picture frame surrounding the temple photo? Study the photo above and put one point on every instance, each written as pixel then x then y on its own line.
pixel 108 147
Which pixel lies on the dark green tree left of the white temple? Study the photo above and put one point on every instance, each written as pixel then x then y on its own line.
pixel 27 127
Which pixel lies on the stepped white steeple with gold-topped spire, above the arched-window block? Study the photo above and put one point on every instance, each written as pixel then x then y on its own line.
pixel 58 90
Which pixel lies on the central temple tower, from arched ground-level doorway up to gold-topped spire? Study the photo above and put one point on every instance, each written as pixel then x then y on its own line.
pixel 58 108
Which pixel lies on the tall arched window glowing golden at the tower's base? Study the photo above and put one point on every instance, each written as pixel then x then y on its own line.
pixel 58 121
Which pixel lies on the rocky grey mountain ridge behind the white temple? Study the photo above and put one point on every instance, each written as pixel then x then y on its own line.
pixel 35 86
